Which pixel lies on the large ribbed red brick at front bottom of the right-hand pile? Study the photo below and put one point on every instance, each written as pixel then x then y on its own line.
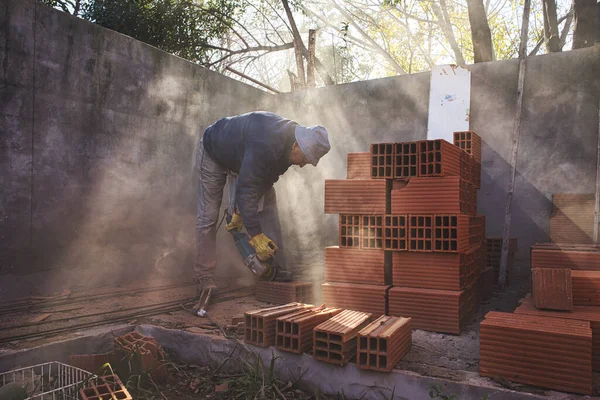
pixel 540 351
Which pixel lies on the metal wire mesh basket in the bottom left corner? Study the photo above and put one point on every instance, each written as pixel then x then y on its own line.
pixel 52 380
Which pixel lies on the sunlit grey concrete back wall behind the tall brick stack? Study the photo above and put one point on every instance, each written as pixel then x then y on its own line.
pixel 557 153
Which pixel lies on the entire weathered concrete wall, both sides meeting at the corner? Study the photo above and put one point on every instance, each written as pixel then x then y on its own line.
pixel 98 132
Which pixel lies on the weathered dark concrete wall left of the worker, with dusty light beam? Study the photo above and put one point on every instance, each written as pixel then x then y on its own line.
pixel 98 135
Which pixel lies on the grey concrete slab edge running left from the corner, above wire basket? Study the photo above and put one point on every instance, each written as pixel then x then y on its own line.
pixel 98 340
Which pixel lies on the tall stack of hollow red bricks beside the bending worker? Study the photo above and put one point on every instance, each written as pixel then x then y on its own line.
pixel 409 222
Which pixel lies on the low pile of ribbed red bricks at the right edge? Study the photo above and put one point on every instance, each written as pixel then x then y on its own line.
pixel 556 330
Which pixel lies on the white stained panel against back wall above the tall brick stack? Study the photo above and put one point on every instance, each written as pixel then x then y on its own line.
pixel 449 102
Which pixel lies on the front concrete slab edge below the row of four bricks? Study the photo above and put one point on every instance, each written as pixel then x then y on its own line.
pixel 311 375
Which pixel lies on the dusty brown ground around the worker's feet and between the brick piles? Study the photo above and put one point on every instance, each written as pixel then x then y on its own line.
pixel 440 356
